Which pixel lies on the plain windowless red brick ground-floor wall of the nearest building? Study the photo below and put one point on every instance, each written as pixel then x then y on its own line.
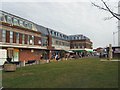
pixel 26 55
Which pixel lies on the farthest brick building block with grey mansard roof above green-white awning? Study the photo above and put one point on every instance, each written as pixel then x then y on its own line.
pixel 80 44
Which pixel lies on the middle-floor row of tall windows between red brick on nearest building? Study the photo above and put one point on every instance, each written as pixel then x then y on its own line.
pixel 30 39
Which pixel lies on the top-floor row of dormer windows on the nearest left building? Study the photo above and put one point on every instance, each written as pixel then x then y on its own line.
pixel 15 21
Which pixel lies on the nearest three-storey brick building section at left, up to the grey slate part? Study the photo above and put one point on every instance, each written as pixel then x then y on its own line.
pixel 19 37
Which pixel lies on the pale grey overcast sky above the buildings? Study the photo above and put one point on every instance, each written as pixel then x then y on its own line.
pixel 68 17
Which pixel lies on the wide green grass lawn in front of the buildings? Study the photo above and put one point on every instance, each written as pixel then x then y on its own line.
pixel 82 73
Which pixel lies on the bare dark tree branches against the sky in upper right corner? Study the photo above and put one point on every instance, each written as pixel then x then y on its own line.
pixel 107 8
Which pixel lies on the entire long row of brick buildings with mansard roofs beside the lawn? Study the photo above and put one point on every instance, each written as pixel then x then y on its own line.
pixel 25 40
